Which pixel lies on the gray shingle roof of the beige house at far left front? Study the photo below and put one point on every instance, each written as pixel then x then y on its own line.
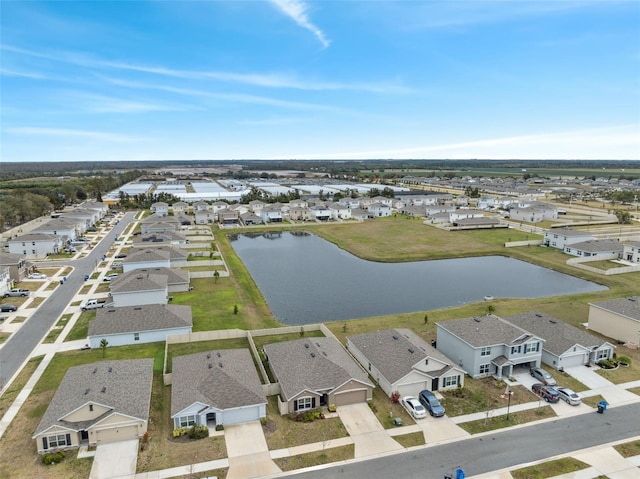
pixel 126 385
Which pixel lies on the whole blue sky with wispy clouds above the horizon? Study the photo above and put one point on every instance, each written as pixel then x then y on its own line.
pixel 181 80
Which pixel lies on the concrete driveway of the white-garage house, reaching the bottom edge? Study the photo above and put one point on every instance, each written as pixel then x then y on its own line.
pixel 248 451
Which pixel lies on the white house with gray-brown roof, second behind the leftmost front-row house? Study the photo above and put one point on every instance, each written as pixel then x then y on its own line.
pixel 136 288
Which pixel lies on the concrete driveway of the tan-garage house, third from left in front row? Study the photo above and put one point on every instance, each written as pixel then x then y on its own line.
pixel 369 437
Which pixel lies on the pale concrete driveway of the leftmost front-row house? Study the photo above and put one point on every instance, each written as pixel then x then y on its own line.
pixel 114 460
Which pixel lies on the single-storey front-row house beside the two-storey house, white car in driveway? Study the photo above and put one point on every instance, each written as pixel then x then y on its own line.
pixel 400 361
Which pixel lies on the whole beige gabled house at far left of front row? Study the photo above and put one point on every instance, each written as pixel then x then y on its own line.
pixel 97 403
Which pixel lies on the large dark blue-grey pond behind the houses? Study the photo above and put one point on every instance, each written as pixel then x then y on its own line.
pixel 306 279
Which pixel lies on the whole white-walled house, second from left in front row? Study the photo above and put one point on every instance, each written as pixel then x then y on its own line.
pixel 216 388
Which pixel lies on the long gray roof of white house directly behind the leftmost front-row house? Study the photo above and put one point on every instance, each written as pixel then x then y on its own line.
pixel 135 319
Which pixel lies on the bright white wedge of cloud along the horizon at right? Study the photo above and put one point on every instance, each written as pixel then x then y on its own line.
pixel 599 143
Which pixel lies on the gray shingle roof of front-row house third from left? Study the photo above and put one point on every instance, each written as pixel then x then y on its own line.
pixel 314 363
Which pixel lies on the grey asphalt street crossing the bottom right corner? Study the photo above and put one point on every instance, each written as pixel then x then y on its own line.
pixel 499 450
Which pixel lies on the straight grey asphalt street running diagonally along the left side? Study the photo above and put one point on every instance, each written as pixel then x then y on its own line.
pixel 18 348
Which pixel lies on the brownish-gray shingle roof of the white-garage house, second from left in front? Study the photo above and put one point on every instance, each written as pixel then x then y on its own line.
pixel 234 384
